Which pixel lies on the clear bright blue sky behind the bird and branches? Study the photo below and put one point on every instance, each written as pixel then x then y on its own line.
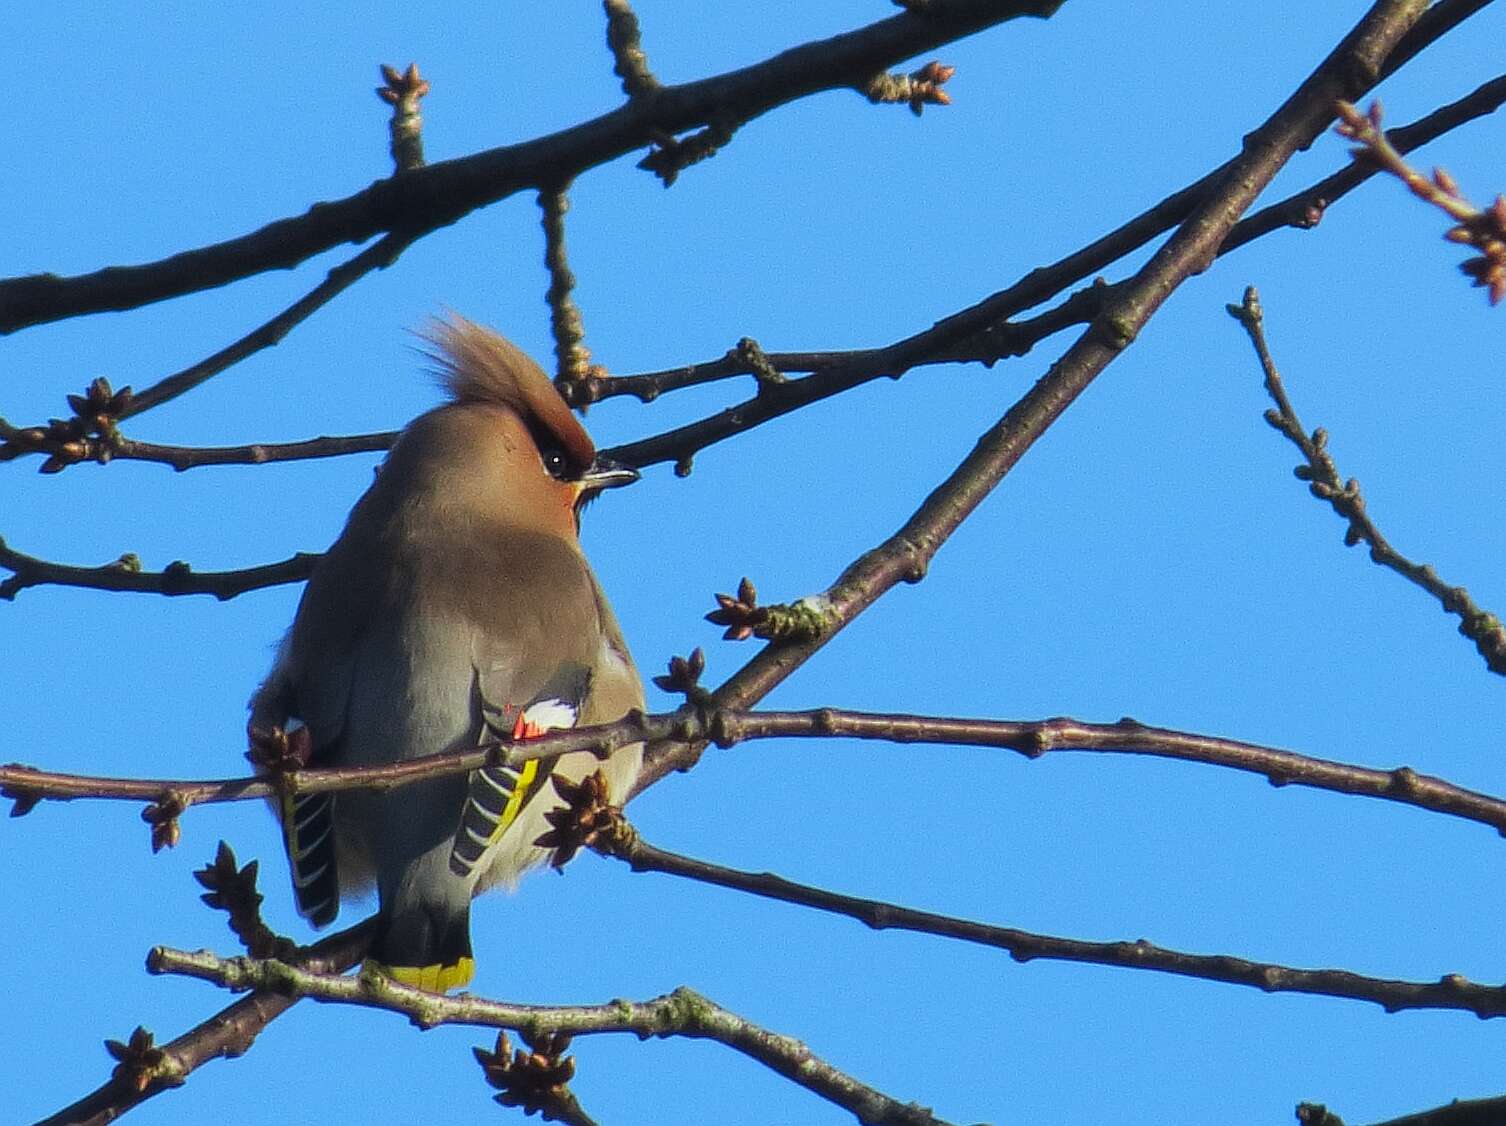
pixel 1153 556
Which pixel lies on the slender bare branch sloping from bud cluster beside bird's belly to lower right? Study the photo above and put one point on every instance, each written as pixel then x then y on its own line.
pixel 1448 993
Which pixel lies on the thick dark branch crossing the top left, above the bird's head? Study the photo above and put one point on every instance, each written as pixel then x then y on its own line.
pixel 434 196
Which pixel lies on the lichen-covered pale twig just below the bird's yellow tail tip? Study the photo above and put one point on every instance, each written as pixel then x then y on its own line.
pixel 680 1014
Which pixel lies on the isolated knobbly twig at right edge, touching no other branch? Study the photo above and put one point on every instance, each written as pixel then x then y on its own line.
pixel 1326 484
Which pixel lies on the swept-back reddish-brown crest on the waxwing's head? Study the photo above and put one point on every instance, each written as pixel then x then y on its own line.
pixel 481 367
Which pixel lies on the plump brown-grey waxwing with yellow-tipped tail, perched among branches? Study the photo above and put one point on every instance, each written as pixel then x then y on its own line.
pixel 454 609
